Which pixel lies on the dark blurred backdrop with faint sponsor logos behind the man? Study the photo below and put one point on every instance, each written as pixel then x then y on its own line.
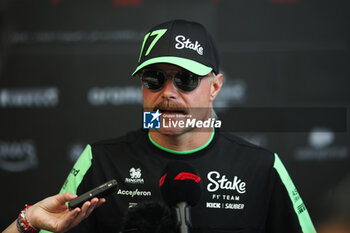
pixel 65 81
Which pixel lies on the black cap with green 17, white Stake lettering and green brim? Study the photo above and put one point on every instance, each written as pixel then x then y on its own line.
pixel 182 43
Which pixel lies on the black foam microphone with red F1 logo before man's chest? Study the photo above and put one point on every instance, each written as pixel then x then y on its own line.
pixel 181 188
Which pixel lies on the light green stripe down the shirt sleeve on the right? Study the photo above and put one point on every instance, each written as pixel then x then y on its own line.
pixel 298 205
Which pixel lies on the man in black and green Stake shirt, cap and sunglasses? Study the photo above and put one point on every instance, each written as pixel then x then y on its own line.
pixel 245 188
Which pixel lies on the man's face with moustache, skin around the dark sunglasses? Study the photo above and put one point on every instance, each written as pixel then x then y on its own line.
pixel 175 104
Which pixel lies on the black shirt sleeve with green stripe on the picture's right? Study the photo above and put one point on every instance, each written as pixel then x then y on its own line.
pixel 287 212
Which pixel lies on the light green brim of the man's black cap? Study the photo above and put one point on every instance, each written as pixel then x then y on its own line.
pixel 193 66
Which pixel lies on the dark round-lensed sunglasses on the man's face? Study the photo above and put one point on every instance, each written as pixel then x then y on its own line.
pixel 183 80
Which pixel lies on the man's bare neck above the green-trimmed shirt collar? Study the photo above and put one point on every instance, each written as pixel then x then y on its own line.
pixel 183 142
